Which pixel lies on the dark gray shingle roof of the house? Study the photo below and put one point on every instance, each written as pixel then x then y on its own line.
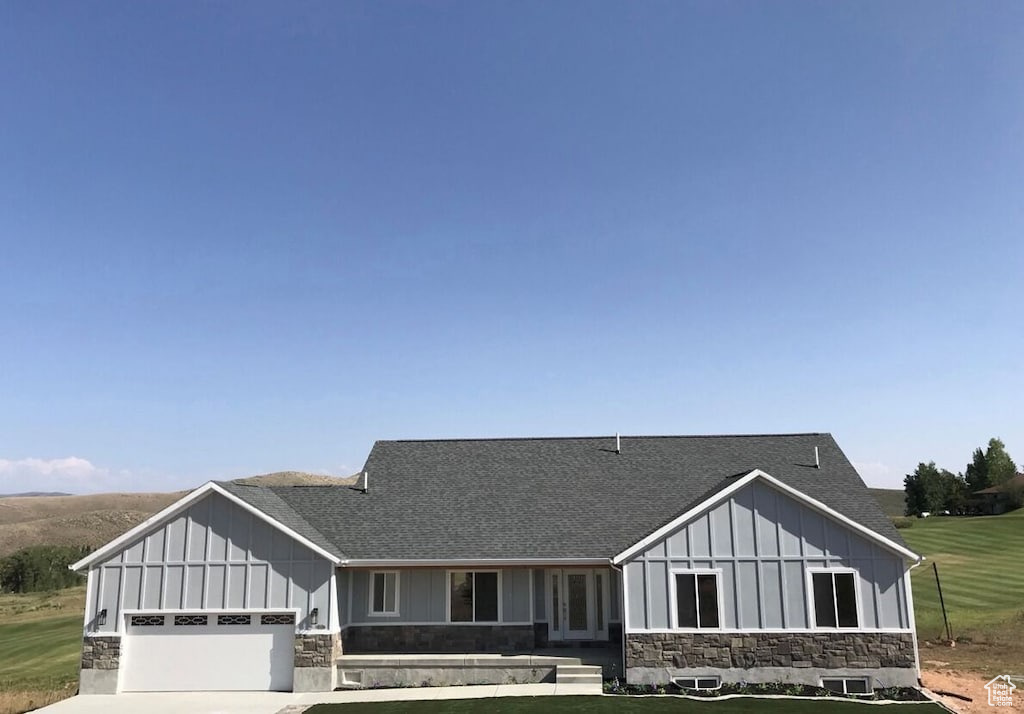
pixel 520 498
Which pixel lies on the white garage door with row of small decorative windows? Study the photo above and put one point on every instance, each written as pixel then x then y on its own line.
pixel 212 652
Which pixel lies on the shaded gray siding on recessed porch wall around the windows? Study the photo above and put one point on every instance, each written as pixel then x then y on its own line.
pixel 423 597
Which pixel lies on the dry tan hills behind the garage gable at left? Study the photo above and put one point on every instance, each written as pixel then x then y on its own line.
pixel 96 519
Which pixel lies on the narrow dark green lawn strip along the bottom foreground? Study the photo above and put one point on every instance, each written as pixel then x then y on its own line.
pixel 615 705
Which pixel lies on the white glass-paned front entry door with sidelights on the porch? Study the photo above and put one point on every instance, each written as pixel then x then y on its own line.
pixel 578 600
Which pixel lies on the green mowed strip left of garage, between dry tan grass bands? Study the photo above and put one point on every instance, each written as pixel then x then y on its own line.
pixel 40 654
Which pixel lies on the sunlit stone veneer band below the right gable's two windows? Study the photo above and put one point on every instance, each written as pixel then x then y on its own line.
pixel 800 650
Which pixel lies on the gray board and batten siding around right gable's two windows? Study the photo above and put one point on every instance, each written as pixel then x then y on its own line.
pixel 763 542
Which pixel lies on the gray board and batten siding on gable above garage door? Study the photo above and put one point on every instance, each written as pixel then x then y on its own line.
pixel 214 556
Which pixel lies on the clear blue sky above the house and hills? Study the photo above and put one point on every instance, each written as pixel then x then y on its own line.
pixel 239 238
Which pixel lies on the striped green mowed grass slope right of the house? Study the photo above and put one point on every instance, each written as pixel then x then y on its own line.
pixel 980 567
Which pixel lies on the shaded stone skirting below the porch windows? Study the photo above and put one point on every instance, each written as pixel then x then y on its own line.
pixel 438 639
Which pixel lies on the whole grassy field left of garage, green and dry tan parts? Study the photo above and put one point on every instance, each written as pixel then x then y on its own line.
pixel 40 648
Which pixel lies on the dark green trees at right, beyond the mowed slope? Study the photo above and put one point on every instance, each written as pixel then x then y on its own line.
pixel 931 489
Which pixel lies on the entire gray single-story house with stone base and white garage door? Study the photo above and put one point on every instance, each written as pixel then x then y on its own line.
pixel 694 560
